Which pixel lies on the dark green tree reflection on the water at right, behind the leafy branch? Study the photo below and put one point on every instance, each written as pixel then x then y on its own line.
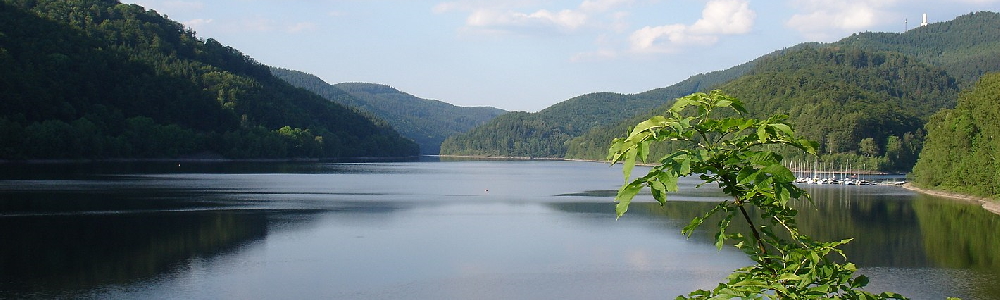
pixel 889 230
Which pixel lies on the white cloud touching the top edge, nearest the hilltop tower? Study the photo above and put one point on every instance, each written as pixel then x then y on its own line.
pixel 822 19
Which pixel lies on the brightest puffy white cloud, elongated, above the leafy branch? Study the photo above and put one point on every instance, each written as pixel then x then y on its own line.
pixel 719 17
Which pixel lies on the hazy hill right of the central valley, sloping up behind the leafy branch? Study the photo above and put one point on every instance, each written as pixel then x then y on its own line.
pixel 547 132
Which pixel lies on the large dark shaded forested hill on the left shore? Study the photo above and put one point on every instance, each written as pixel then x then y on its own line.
pixel 101 79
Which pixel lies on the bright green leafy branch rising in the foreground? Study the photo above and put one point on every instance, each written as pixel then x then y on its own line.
pixel 733 152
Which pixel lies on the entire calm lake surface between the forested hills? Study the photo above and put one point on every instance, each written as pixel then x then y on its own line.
pixel 433 230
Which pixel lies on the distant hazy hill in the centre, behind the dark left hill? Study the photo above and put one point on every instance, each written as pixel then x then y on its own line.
pixel 428 122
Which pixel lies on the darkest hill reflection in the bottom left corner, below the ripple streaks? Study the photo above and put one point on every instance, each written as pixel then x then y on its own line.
pixel 46 256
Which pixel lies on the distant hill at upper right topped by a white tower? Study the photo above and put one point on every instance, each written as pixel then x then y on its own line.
pixel 967 47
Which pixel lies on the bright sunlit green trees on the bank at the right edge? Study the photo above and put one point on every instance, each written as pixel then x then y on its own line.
pixel 961 149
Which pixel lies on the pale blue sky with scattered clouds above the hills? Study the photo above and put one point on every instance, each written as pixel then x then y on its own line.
pixel 529 54
